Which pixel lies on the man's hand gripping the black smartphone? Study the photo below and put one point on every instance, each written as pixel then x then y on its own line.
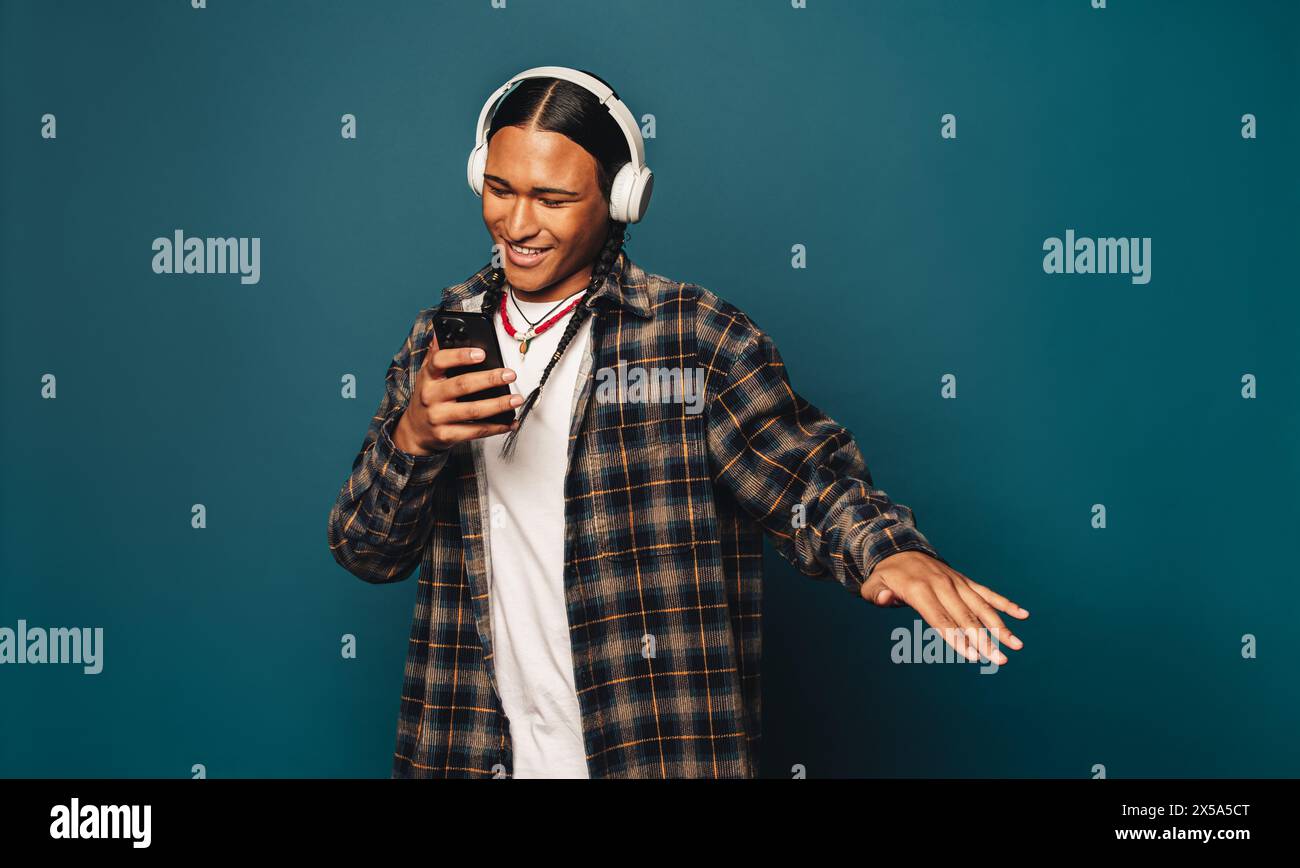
pixel 435 420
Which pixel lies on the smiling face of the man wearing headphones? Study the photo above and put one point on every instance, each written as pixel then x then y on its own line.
pixel 541 192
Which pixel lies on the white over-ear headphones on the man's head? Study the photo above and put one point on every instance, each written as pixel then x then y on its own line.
pixel 630 197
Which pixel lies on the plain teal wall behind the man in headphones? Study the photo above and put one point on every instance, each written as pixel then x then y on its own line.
pixel 774 127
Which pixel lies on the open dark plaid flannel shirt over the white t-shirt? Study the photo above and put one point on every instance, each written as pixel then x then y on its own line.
pixel 665 515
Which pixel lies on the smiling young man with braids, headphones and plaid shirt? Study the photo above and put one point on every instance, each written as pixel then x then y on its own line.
pixel 591 585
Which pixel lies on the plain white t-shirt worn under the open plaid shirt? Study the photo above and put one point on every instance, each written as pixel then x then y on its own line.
pixel 526 532
